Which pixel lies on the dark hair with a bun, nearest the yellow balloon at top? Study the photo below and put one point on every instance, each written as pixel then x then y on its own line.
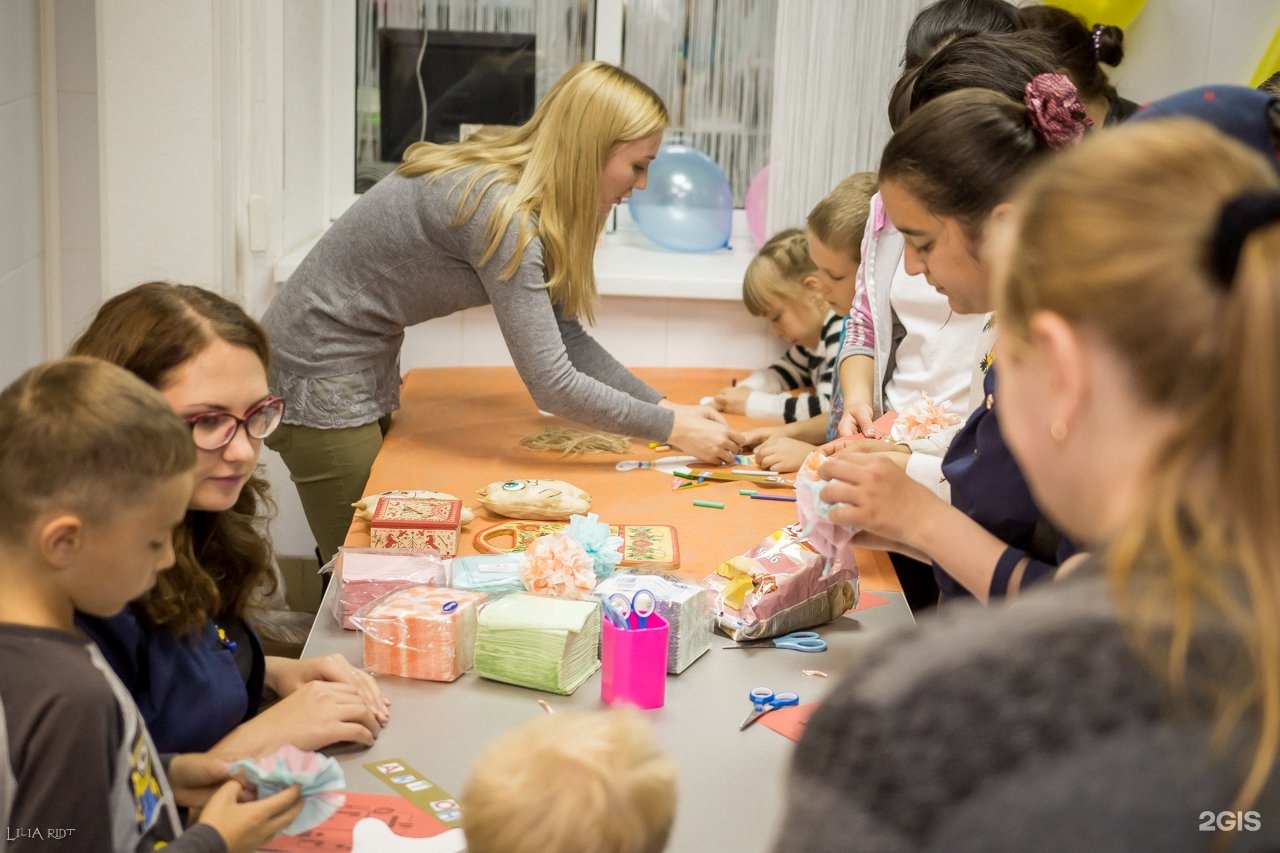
pixel 1082 53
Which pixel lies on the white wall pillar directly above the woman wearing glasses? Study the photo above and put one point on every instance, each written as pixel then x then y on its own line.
pixel 161 143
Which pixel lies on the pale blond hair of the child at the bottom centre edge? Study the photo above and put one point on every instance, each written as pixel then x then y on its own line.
pixel 574 783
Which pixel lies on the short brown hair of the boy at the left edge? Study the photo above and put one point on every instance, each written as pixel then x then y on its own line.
pixel 85 436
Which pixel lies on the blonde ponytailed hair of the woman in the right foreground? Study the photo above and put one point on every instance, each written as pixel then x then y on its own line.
pixel 1116 238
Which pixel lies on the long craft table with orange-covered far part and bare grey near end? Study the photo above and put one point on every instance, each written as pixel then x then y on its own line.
pixel 459 430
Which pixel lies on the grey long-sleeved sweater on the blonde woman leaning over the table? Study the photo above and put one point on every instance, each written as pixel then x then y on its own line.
pixel 392 262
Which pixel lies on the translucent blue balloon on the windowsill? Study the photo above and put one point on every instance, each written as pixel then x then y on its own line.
pixel 687 204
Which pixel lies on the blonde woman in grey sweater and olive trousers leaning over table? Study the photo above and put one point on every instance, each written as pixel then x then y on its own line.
pixel 508 220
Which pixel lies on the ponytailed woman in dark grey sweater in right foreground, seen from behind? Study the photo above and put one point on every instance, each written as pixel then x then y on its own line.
pixel 1133 705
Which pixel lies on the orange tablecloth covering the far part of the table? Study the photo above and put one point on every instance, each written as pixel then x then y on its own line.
pixel 459 430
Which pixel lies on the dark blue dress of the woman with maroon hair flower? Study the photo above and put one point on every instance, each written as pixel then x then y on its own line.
pixel 989 487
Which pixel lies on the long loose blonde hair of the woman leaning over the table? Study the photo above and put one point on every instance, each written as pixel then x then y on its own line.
pixel 555 162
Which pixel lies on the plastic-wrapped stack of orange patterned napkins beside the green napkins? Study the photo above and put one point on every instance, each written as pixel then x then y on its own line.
pixel 422 633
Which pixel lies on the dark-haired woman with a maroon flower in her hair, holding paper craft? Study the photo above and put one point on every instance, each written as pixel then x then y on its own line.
pixel 949 172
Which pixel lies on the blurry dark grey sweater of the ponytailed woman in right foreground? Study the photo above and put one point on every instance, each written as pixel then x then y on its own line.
pixel 1030 727
